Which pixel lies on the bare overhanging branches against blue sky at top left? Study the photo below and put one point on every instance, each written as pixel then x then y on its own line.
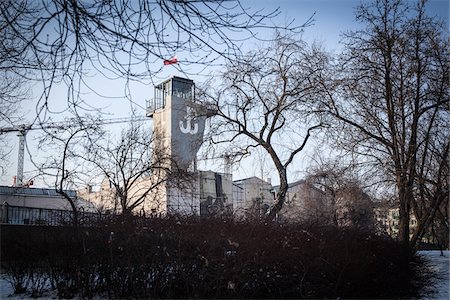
pixel 63 42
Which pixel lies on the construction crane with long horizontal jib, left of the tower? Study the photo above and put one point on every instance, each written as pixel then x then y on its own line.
pixel 23 129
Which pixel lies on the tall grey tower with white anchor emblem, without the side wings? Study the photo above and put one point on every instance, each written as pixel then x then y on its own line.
pixel 178 125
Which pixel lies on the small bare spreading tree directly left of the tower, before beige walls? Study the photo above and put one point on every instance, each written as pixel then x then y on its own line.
pixel 133 167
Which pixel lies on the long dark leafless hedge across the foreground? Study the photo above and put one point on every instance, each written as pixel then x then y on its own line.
pixel 197 258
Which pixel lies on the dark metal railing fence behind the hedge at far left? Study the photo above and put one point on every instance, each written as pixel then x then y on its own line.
pixel 20 215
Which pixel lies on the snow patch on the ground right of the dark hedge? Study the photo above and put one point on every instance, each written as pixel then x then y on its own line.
pixel 440 265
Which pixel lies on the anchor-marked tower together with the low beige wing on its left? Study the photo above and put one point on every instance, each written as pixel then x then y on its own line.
pixel 174 185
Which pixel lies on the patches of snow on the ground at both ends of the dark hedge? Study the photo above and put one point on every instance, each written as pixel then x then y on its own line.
pixel 437 263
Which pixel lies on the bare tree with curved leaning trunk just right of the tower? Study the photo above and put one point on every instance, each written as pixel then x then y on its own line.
pixel 265 100
